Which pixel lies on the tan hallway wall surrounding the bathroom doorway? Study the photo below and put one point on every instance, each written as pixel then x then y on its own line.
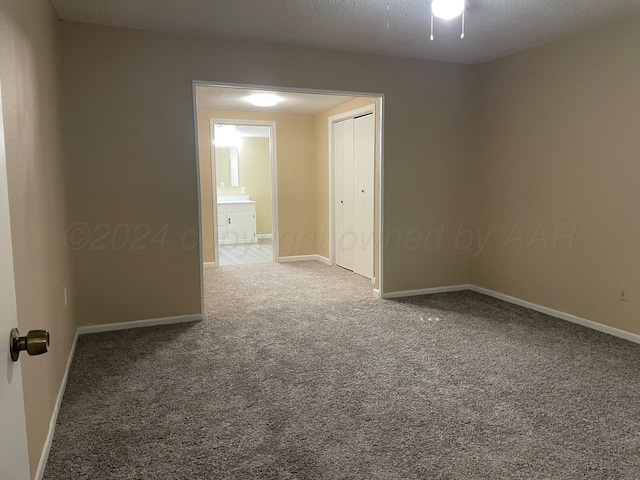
pixel 296 178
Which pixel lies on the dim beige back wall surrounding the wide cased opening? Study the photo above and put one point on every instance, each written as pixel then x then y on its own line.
pixel 132 155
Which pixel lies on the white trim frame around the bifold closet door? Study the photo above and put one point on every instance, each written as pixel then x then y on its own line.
pixel 372 108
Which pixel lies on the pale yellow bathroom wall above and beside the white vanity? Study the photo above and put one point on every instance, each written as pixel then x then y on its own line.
pixel 254 174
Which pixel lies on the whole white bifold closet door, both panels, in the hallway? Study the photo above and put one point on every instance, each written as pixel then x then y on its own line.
pixel 354 146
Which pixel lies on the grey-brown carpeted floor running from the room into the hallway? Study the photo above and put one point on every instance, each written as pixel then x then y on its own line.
pixel 299 373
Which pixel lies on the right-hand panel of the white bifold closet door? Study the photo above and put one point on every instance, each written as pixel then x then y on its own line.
pixel 363 165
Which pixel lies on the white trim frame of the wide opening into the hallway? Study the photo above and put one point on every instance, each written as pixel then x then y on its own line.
pixel 273 88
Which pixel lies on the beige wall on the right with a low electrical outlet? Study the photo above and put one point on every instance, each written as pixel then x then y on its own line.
pixel 559 147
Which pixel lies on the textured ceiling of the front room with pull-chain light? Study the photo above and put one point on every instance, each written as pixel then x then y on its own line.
pixel 494 27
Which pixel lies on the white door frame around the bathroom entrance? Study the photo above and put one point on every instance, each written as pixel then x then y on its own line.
pixel 274 179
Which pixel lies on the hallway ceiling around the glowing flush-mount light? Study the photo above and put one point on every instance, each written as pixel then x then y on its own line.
pixel 226 98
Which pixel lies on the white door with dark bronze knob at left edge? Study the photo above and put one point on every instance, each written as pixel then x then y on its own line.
pixel 14 459
